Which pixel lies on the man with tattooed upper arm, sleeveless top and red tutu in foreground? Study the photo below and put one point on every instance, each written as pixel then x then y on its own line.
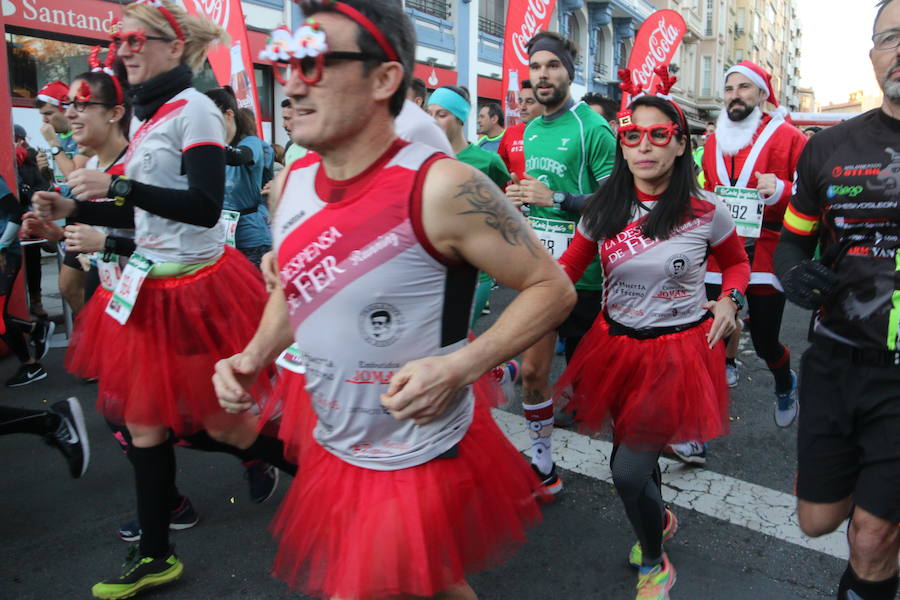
pixel 407 483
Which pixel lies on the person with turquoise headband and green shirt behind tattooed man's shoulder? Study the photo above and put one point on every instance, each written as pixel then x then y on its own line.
pixel 450 107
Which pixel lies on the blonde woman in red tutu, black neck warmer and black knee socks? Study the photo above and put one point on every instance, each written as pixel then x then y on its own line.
pixel 186 299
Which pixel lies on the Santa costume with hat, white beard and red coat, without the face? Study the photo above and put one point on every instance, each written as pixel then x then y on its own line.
pixel 737 150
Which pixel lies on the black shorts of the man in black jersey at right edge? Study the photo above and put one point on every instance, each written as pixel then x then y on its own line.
pixel 848 442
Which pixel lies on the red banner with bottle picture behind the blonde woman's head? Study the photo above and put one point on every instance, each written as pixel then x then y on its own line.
pixel 231 64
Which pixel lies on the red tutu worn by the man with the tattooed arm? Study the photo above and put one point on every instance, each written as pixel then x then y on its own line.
pixel 350 532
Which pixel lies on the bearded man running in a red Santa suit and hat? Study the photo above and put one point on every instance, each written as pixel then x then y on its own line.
pixel 750 149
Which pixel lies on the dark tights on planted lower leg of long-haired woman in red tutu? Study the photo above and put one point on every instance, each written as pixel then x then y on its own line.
pixel 637 478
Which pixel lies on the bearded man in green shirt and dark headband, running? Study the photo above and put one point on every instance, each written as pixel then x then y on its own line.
pixel 569 150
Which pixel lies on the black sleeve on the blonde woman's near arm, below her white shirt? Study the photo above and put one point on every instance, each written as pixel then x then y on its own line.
pixel 201 203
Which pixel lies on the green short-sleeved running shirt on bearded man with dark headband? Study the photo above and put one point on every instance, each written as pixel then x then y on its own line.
pixel 568 154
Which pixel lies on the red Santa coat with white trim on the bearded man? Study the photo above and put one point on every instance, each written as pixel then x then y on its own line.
pixel 778 155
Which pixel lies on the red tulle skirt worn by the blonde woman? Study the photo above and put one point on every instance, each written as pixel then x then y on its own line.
pixel 156 370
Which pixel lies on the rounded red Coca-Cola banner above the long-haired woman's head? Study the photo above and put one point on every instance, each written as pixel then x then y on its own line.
pixel 655 45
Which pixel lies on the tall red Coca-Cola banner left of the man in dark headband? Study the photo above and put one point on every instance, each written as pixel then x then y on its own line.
pixel 524 18
